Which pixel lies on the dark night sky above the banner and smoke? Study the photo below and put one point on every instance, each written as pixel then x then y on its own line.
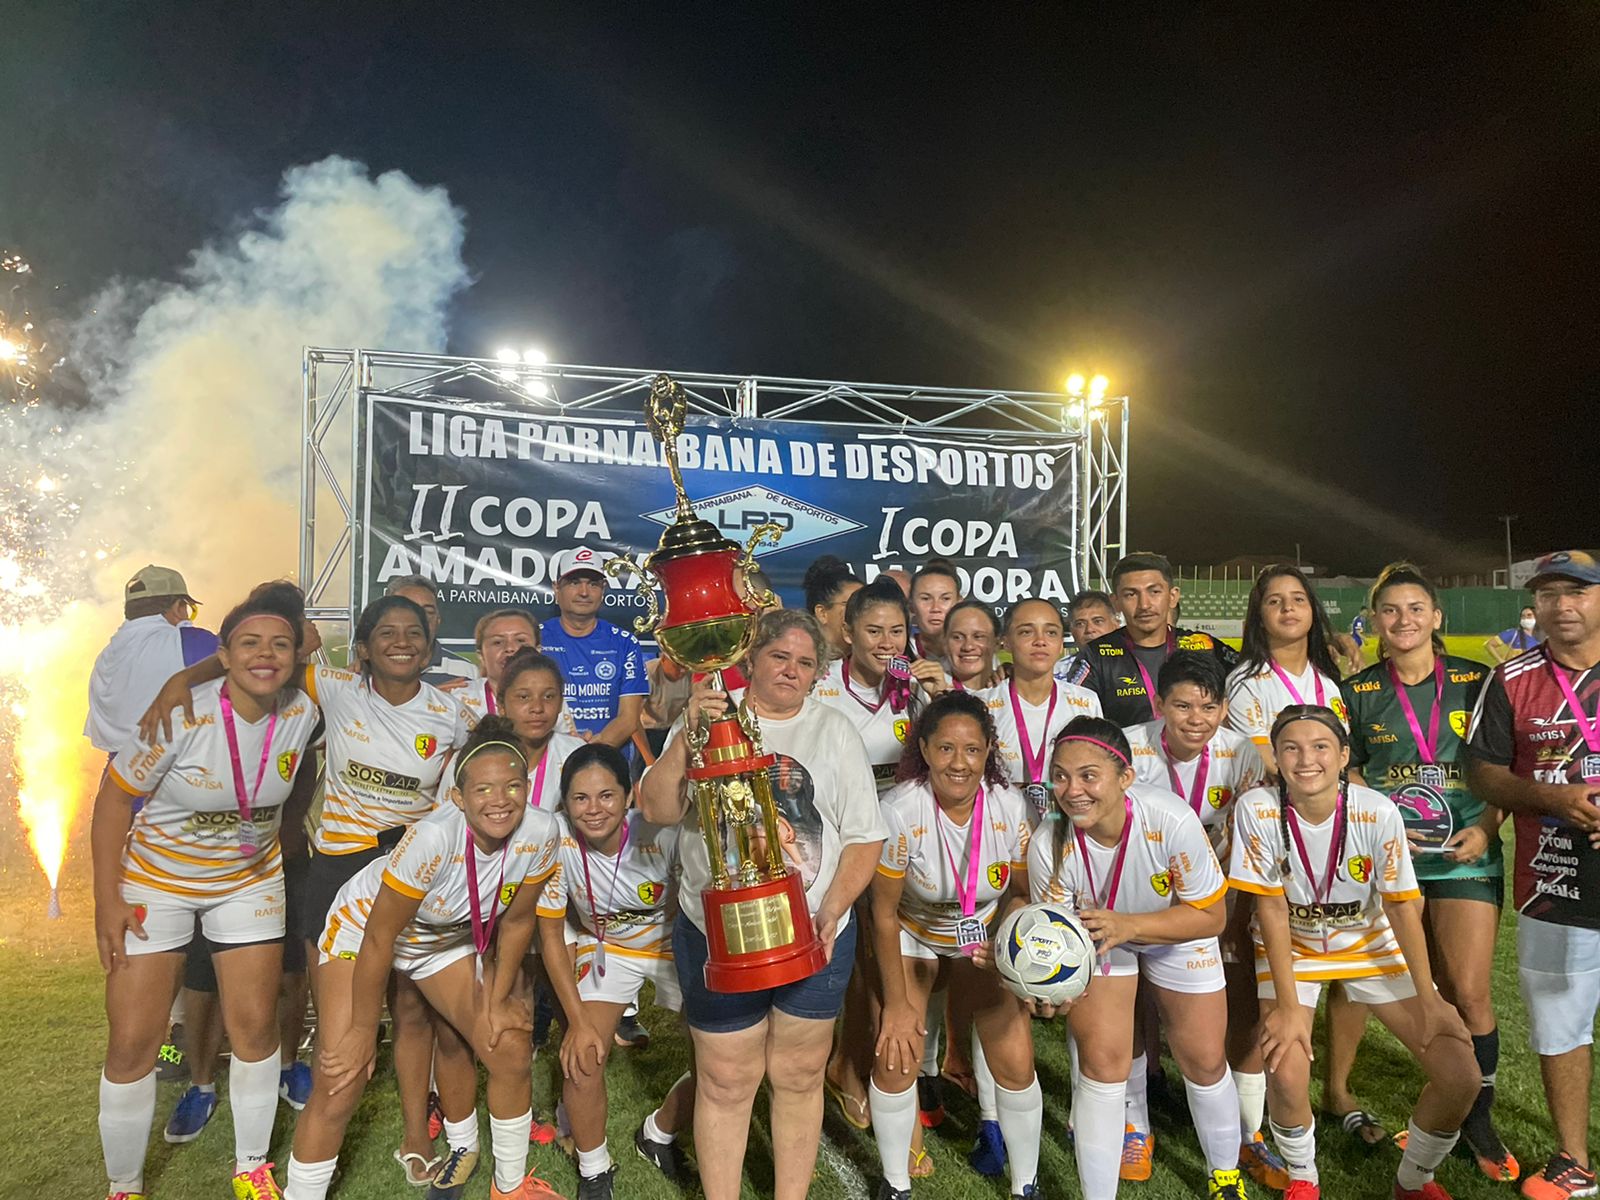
pixel 1345 260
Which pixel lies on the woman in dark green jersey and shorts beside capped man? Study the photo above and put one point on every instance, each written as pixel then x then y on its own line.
pixel 1409 721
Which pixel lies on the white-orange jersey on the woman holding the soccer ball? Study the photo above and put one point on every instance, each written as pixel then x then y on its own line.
pixel 1169 862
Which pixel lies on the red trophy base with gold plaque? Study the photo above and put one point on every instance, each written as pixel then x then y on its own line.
pixel 761 937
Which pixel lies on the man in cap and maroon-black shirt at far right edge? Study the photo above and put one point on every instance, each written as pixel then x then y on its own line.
pixel 1535 751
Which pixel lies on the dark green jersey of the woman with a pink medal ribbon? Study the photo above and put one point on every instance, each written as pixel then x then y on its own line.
pixel 1431 798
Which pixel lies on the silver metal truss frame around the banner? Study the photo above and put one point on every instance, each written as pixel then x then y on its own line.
pixel 338 385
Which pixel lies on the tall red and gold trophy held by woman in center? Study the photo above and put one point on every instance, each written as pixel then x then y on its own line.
pixel 758 922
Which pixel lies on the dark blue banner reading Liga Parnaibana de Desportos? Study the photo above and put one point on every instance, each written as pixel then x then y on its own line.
pixel 481 502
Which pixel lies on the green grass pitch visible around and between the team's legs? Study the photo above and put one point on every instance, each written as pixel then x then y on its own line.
pixel 52 993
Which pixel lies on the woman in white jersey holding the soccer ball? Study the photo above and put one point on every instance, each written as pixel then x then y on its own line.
pixel 1137 863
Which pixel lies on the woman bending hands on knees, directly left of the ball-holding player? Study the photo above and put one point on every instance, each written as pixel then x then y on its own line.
pixel 956 857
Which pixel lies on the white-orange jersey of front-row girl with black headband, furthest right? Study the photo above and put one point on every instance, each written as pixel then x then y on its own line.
pixel 1375 865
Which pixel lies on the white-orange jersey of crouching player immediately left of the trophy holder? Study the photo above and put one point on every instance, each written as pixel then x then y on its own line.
pixel 630 890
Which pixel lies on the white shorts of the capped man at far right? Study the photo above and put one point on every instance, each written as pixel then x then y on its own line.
pixel 1559 970
